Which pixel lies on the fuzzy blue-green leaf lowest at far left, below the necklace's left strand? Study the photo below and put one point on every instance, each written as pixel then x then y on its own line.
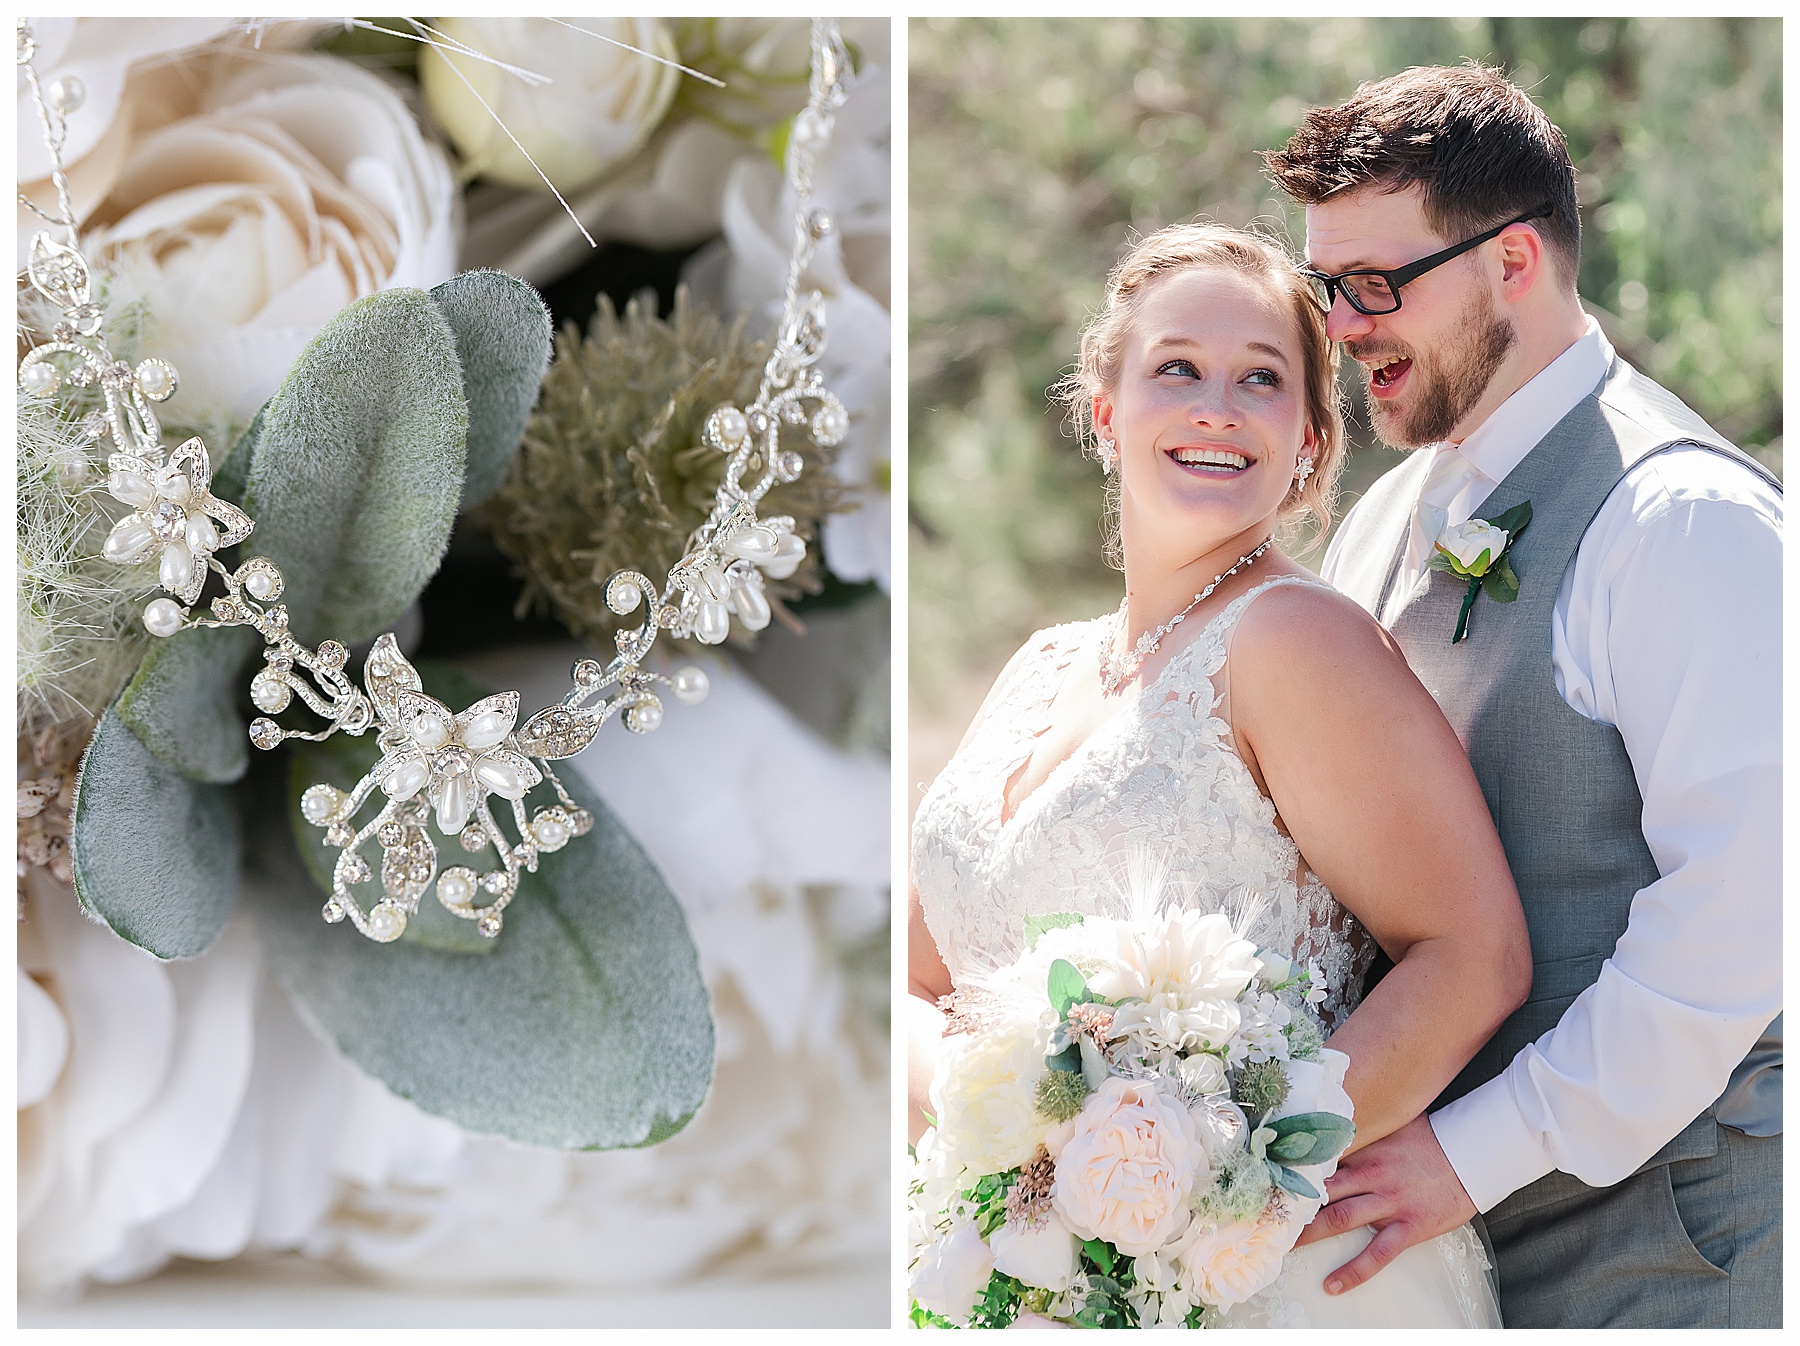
pixel 156 856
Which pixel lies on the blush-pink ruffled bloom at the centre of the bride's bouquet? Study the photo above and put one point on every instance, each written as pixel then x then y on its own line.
pixel 1128 1169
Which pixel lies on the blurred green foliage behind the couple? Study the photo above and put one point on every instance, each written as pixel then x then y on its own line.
pixel 1038 145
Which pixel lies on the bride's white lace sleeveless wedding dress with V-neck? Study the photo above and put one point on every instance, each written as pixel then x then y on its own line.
pixel 1162 784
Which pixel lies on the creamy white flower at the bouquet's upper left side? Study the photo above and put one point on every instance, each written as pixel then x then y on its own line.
pixel 985 1097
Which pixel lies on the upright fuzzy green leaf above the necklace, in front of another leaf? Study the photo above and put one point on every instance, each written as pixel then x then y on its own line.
pixel 357 471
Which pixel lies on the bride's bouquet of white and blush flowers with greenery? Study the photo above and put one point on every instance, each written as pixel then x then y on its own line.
pixel 1133 1126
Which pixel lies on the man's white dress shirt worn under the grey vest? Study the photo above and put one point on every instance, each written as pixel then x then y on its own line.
pixel 1668 627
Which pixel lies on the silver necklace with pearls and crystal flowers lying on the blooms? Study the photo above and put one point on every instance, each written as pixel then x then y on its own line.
pixel 440 767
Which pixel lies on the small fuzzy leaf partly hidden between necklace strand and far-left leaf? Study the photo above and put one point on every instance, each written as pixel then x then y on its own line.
pixel 183 703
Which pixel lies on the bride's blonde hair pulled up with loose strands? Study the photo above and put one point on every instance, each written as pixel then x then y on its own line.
pixel 1180 249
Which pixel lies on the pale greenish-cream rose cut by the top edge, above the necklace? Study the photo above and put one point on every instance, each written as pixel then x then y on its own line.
pixel 598 109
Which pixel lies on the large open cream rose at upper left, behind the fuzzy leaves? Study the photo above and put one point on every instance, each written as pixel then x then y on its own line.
pixel 258 195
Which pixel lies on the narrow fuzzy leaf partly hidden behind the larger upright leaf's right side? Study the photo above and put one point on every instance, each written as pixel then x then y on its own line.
pixel 503 337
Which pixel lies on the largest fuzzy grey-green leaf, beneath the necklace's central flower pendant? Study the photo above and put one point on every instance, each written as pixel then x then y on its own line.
pixel 584 1027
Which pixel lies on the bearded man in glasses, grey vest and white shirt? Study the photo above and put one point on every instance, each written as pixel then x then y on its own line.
pixel 1621 1135
